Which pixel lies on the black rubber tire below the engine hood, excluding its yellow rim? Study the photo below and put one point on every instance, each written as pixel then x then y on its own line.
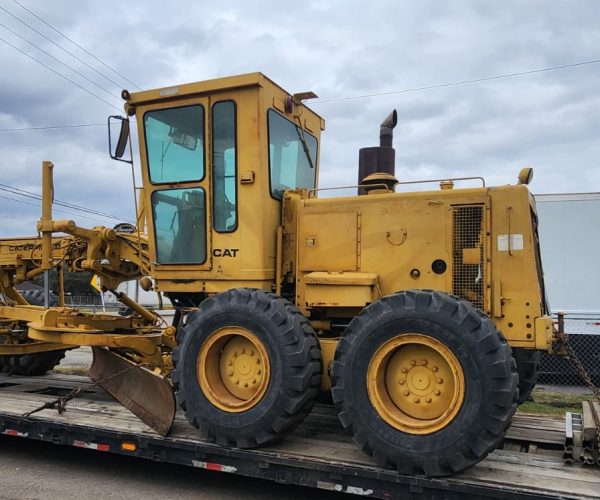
pixel 491 381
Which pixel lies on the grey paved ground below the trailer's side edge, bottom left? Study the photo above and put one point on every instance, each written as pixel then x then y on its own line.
pixel 35 470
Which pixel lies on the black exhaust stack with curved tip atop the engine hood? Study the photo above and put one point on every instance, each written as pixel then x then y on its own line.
pixel 380 160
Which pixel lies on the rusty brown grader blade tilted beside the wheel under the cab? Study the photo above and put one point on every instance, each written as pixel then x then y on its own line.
pixel 148 396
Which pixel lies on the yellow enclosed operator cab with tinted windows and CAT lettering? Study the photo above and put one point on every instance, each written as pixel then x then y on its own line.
pixel 216 158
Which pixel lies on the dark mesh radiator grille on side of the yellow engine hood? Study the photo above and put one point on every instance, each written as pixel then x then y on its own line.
pixel 468 232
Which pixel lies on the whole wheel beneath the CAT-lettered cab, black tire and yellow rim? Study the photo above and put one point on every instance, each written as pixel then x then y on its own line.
pixel 247 368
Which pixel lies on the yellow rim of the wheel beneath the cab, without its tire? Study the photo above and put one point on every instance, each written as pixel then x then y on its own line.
pixel 233 369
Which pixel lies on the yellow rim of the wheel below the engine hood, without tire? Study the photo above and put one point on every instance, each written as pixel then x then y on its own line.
pixel 415 384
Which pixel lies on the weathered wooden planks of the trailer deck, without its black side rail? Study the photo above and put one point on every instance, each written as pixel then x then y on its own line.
pixel 321 441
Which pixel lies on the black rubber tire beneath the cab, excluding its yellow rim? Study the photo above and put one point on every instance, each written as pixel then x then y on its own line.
pixel 294 356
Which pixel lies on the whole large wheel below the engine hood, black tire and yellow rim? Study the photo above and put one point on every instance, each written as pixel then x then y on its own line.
pixel 424 382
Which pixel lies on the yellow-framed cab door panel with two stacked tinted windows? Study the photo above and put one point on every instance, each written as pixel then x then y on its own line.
pixel 175 169
